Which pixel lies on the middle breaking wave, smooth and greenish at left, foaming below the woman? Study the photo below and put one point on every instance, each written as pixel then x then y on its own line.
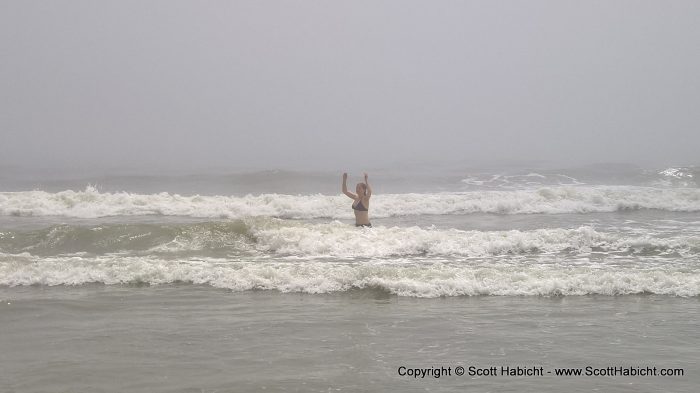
pixel 275 237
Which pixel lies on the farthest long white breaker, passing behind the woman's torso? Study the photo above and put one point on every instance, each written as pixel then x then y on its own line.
pixel 91 203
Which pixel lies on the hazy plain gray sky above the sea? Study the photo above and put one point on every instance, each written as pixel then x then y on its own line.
pixel 319 84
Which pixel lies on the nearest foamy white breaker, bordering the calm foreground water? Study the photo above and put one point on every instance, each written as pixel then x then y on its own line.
pixel 401 278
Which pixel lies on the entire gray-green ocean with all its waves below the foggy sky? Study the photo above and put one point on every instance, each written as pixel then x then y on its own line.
pixel 207 282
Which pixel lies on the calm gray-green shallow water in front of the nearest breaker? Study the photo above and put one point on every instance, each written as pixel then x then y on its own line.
pixel 185 338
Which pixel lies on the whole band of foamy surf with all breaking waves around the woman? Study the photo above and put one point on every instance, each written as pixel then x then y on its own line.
pixel 607 239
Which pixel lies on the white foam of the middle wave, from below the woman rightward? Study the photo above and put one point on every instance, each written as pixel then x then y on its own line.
pixel 337 240
